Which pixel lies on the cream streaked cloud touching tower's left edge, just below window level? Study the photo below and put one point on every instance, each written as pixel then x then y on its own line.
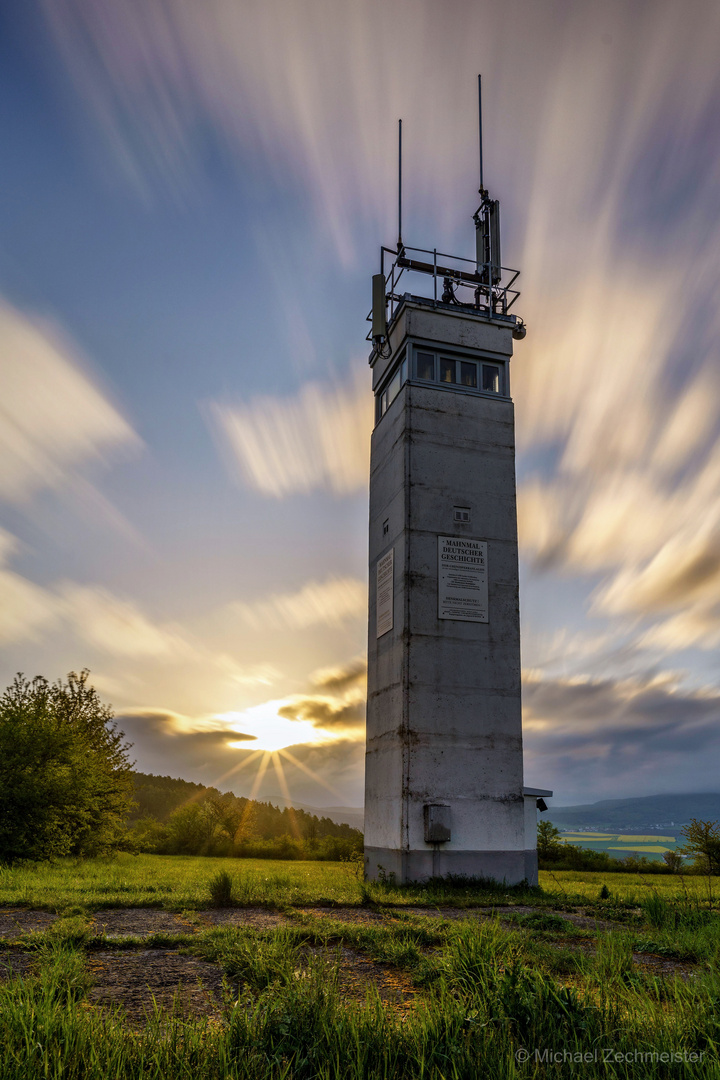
pixel 317 440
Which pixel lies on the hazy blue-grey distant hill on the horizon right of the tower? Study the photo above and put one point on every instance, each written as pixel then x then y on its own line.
pixel 635 816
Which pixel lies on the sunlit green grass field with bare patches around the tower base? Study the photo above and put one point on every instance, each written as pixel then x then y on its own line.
pixel 479 995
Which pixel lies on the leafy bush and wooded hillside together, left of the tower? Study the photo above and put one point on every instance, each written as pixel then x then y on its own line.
pixel 67 788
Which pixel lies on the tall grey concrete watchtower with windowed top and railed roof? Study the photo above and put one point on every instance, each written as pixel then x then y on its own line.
pixel 444 766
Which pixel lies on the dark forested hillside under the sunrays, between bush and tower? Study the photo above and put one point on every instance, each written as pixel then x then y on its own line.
pixel 180 818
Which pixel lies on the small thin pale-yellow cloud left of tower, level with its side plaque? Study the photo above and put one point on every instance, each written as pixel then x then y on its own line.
pixel 319 603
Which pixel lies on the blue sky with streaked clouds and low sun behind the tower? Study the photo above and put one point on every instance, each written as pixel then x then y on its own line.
pixel 193 202
